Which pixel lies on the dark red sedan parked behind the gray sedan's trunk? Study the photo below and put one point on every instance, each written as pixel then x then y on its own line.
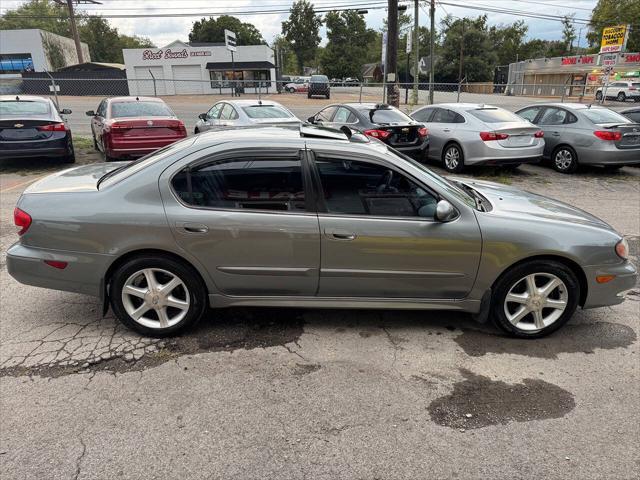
pixel 130 127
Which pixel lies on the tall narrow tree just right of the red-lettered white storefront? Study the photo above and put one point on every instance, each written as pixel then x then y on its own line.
pixel 301 31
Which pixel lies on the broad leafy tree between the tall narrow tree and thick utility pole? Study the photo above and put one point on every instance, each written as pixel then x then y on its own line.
pixel 348 38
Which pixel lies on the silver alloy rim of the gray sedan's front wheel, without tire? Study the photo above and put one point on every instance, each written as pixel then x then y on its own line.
pixel 536 301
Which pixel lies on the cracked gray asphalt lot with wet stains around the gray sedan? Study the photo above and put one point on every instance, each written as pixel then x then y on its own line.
pixel 277 393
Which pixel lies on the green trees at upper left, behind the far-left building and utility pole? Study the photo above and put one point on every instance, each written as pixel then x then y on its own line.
pixel 105 42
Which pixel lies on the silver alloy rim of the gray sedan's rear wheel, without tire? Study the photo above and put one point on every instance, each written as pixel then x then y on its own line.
pixel 155 298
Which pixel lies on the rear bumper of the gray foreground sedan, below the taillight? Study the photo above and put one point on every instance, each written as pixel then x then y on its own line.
pixel 83 273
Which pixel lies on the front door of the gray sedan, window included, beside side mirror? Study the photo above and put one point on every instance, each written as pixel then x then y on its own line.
pixel 379 237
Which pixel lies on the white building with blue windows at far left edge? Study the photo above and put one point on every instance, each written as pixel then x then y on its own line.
pixel 35 50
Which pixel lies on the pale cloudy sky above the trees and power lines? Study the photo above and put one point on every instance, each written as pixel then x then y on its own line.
pixel 164 30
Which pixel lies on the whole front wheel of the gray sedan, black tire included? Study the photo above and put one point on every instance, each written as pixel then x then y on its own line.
pixel 517 312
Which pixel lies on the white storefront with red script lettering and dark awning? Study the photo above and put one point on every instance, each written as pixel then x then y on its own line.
pixel 191 69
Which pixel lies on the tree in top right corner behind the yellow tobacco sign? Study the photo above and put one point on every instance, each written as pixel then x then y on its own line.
pixel 608 13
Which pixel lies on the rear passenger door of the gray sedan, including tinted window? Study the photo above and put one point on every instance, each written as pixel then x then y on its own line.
pixel 245 216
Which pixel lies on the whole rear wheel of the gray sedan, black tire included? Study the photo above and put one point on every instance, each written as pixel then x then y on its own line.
pixel 188 297
